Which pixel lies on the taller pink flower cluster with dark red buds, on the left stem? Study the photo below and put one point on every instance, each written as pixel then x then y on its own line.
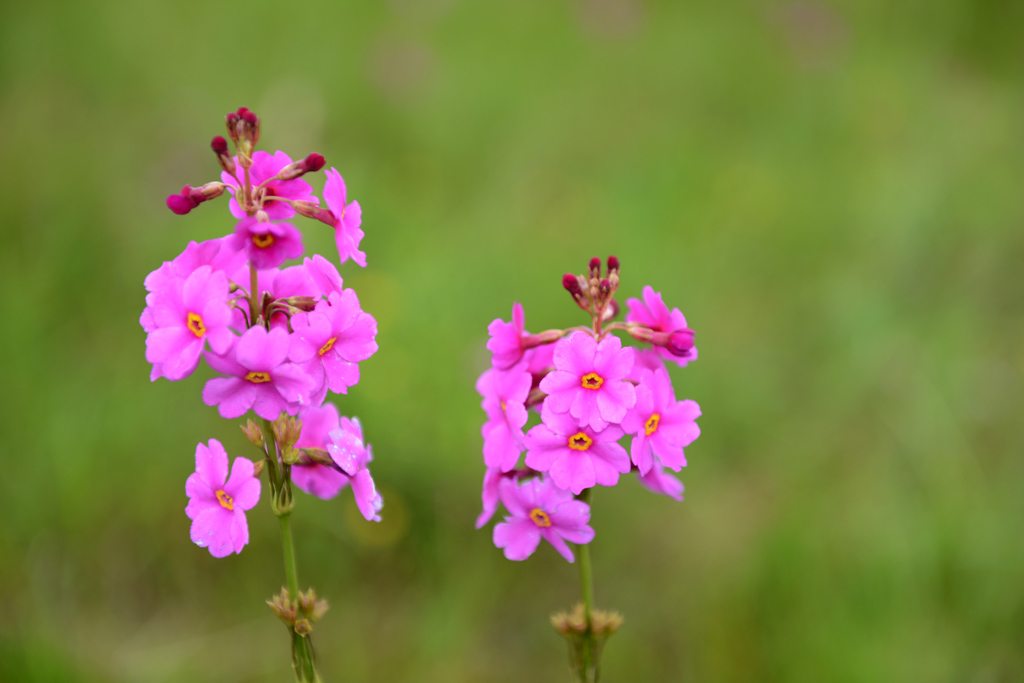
pixel 279 335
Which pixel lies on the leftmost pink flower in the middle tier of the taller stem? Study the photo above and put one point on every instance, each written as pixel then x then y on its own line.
pixel 184 316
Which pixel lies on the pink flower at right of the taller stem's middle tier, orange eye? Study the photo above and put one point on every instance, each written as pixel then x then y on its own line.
pixel 331 340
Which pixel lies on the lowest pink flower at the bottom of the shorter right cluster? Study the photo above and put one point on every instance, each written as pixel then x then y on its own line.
pixel 540 510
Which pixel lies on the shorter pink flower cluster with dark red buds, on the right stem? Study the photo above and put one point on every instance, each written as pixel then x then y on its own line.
pixel 587 393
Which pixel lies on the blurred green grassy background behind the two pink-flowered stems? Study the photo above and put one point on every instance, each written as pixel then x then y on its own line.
pixel 831 193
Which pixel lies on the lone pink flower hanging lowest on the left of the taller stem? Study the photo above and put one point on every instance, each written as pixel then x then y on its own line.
pixel 218 504
